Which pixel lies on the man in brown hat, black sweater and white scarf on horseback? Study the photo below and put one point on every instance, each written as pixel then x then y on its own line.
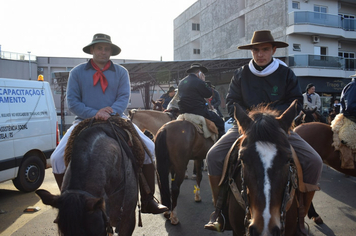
pixel 263 80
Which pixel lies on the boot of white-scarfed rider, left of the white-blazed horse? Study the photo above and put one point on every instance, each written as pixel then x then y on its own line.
pixel 219 197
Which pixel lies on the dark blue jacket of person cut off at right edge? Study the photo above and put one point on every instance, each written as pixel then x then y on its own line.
pixel 348 100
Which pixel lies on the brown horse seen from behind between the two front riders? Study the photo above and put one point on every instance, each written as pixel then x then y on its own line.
pixel 176 143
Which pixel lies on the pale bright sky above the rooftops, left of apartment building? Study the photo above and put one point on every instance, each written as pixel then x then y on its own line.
pixel 143 29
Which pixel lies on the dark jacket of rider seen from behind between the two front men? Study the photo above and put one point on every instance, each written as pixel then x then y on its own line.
pixel 192 92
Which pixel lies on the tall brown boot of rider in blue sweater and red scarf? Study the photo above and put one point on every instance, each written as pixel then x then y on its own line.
pixel 147 189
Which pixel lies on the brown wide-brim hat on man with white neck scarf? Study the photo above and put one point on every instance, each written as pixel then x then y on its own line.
pixel 263 36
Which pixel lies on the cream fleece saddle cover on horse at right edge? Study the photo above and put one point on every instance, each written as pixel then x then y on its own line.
pixel 344 131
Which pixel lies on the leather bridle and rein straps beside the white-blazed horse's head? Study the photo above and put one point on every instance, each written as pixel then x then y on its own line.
pixel 242 197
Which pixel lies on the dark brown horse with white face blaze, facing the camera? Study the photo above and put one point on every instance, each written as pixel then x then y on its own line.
pixel 261 200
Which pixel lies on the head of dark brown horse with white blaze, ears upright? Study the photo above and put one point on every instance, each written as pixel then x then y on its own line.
pixel 265 155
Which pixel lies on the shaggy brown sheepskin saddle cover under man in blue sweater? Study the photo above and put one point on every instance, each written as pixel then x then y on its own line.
pixel 137 146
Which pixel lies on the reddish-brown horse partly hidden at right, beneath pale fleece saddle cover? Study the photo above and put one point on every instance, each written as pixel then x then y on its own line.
pixel 320 137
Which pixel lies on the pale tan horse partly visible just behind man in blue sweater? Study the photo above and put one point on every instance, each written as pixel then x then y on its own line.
pixel 149 119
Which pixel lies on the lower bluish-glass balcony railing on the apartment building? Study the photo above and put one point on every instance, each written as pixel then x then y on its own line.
pixel 322 62
